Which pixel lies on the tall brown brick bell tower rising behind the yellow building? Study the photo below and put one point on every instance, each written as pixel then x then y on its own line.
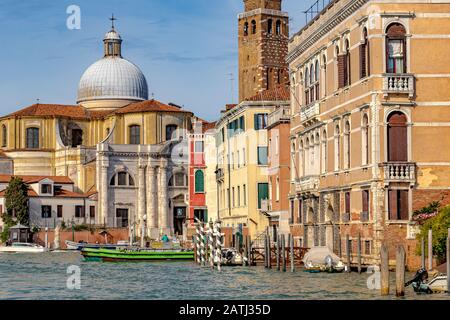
pixel 263 47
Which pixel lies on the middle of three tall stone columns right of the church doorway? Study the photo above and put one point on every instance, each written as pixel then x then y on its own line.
pixel 152 197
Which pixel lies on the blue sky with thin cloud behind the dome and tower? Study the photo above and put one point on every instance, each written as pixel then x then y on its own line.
pixel 186 49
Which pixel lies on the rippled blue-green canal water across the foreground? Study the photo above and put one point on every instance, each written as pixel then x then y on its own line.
pixel 44 276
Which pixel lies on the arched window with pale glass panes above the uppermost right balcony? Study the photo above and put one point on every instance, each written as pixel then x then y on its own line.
pixel 396 48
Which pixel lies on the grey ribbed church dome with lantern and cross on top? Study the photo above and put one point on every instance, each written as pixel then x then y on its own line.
pixel 113 77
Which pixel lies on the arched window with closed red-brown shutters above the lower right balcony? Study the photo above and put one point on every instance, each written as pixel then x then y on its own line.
pixel 397 137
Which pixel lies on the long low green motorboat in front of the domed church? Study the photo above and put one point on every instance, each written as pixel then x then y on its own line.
pixel 117 255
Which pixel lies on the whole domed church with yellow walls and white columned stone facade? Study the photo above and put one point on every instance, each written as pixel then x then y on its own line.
pixel 117 146
